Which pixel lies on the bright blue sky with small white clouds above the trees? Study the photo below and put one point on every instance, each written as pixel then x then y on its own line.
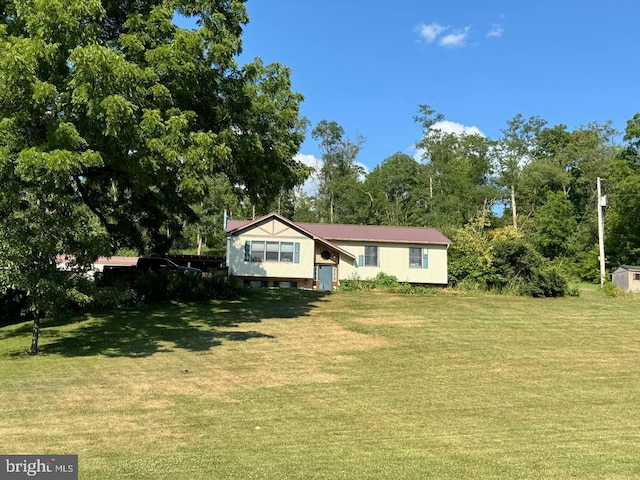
pixel 369 64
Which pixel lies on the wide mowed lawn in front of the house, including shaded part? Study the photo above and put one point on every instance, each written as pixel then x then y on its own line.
pixel 295 385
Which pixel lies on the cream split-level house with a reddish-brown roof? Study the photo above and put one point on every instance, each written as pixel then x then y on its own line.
pixel 273 251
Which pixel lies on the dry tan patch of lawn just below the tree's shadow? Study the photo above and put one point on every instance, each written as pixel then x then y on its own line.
pixel 309 350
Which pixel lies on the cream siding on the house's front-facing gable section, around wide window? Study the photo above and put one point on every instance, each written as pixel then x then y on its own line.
pixel 271 231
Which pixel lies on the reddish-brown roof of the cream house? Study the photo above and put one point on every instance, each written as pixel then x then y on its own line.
pixel 368 233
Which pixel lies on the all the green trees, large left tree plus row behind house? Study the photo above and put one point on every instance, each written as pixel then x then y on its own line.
pixel 122 132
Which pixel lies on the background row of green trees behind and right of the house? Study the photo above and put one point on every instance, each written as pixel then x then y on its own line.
pixel 535 184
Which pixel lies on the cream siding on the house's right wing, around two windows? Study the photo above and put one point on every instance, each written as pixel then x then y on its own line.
pixel 393 259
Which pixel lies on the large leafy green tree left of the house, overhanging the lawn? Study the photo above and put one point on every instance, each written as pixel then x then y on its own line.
pixel 113 118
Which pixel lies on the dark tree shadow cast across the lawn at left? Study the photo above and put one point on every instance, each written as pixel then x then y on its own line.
pixel 150 329
